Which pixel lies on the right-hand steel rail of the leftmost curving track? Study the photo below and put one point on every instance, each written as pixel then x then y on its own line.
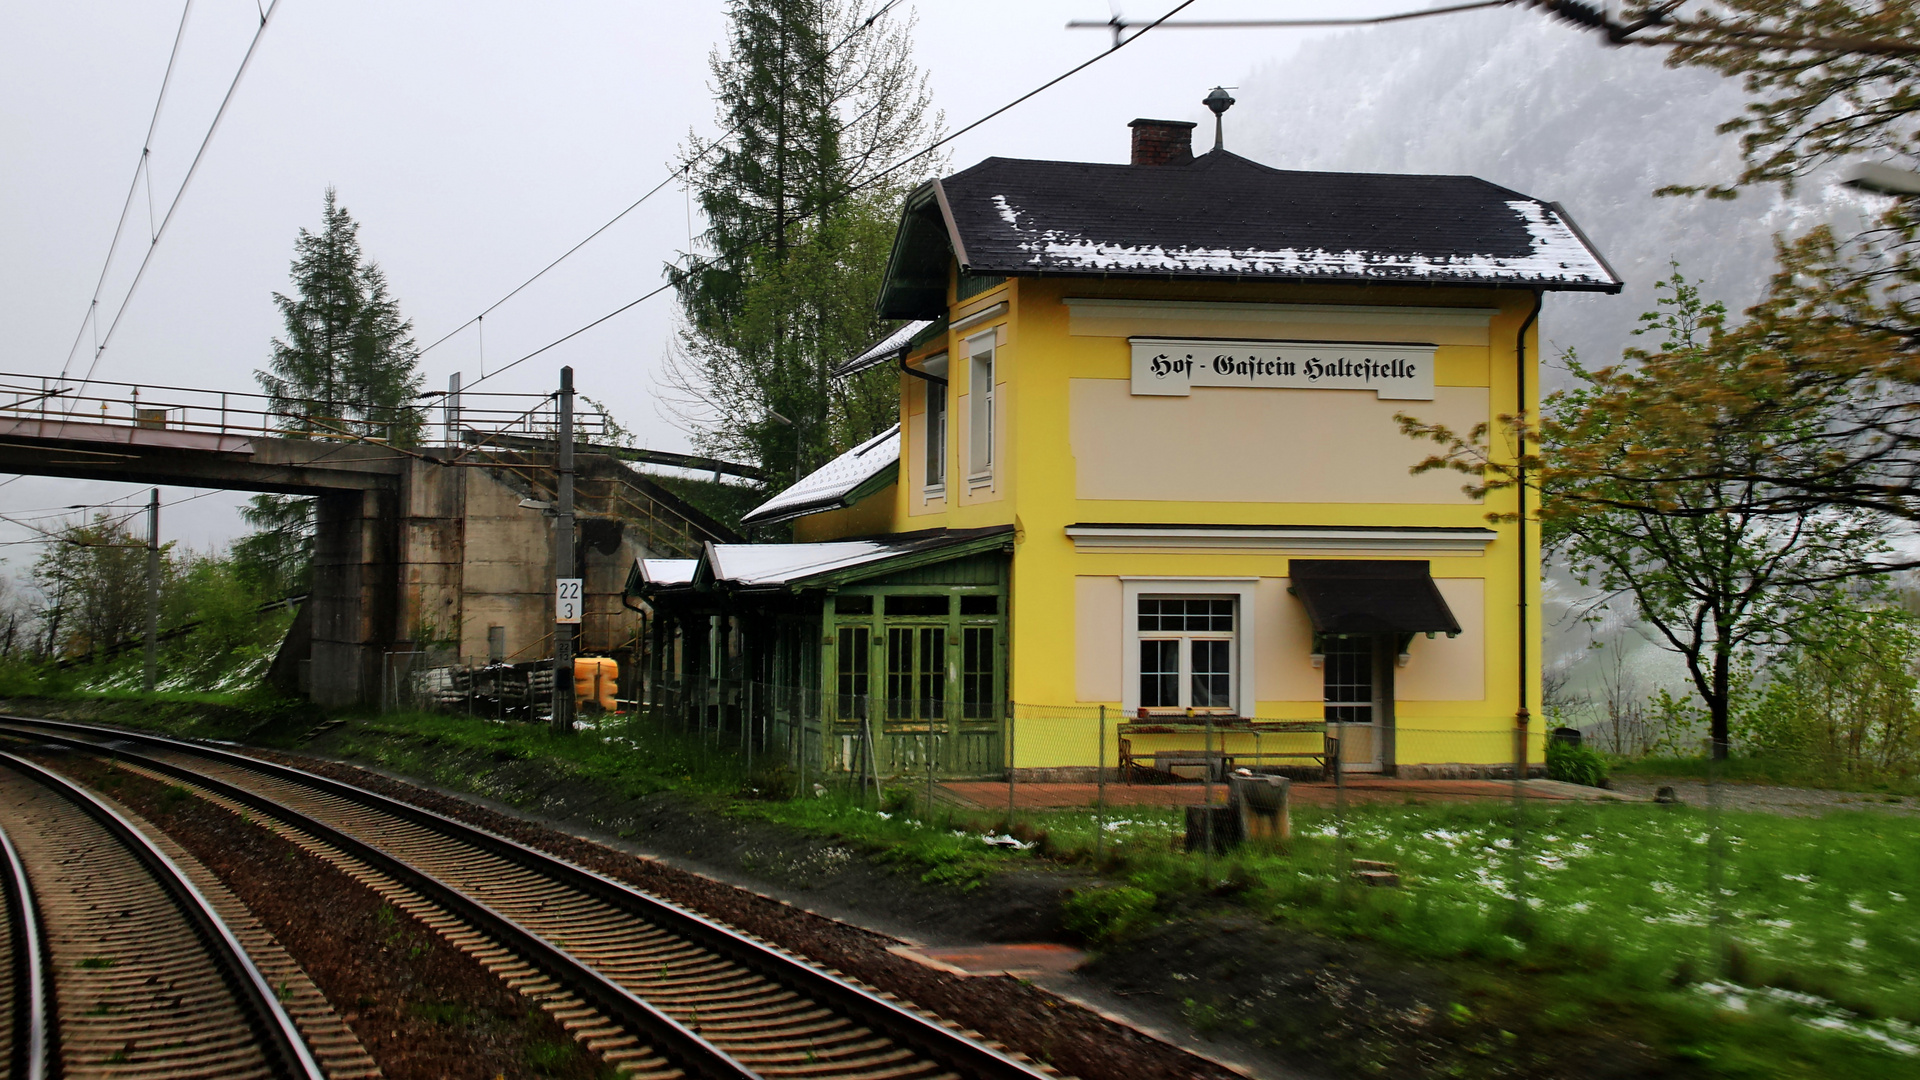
pixel 281 1043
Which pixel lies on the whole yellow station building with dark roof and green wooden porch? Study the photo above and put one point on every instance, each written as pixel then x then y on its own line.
pixel 1149 487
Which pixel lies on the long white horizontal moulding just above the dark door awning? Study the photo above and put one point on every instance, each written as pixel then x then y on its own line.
pixel 1470 543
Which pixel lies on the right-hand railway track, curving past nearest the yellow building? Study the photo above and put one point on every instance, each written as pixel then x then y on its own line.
pixel 652 987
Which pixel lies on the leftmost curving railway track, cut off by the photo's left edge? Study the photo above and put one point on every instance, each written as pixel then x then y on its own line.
pixel 149 981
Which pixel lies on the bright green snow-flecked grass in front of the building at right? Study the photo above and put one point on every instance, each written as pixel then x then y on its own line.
pixel 1815 925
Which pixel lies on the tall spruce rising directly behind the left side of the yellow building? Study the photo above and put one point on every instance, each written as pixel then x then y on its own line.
pixel 817 101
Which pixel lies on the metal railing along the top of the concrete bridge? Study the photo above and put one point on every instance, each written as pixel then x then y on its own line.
pixel 435 420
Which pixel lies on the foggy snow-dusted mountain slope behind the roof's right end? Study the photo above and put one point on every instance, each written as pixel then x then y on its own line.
pixel 1554 114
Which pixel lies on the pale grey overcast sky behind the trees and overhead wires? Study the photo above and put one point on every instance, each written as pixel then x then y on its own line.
pixel 475 143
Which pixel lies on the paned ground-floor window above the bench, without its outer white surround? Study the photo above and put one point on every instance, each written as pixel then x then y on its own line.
pixel 1188 652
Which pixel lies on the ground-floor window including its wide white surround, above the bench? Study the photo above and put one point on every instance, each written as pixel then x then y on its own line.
pixel 1189 645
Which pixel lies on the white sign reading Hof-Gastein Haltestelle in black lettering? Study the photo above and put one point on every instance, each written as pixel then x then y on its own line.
pixel 1170 368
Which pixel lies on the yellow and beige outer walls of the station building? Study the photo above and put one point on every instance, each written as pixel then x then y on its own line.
pixel 1076 447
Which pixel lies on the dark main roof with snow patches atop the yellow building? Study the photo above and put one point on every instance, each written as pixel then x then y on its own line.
pixel 1224 216
